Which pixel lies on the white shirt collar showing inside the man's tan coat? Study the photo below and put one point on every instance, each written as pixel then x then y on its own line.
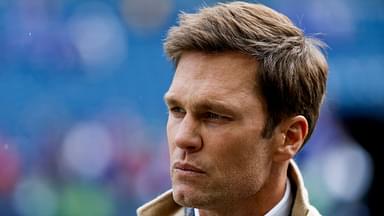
pixel 282 208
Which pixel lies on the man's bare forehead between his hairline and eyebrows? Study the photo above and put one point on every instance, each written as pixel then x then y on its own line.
pixel 228 76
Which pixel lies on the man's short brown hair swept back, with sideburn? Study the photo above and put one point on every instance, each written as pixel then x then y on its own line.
pixel 292 70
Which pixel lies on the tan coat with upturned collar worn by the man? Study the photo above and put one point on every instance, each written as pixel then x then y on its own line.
pixel 165 206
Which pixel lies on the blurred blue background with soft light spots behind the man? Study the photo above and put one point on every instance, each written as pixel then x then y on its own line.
pixel 82 120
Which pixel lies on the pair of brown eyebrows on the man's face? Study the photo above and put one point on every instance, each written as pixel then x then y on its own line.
pixel 204 104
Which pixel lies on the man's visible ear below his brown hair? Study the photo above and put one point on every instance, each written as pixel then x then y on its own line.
pixel 292 134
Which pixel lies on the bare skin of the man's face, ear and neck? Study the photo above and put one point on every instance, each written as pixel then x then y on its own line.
pixel 220 162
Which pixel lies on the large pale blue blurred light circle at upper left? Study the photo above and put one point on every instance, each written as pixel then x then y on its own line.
pixel 98 37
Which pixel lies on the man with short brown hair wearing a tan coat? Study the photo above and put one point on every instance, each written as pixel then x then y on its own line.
pixel 244 99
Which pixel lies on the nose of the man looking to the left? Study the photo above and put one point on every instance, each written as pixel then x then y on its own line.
pixel 187 136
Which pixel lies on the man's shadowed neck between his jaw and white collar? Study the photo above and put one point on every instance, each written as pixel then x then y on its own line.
pixel 261 202
